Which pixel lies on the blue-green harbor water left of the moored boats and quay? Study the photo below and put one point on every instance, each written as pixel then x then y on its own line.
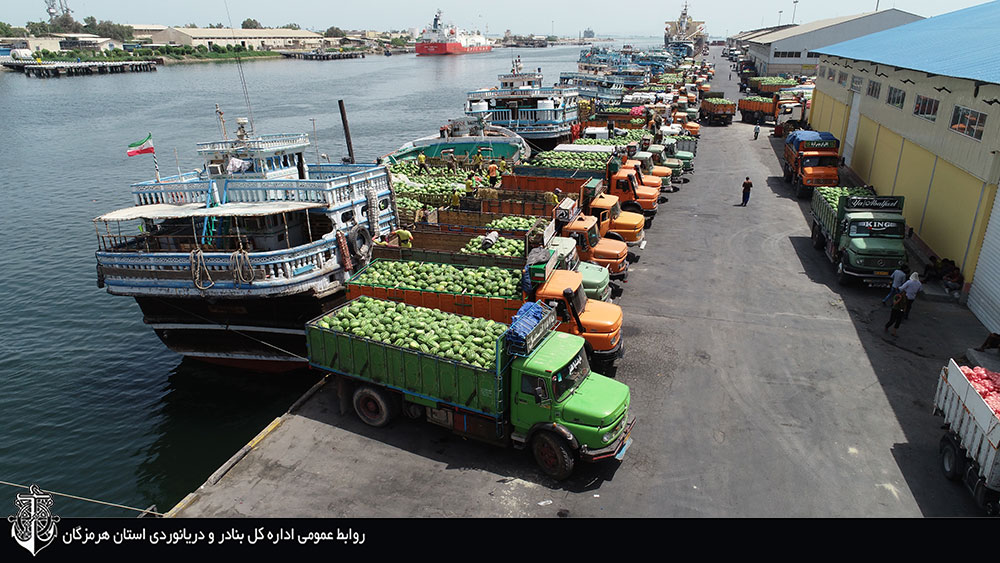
pixel 92 404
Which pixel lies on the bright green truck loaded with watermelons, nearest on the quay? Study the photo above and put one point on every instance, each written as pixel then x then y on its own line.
pixel 523 385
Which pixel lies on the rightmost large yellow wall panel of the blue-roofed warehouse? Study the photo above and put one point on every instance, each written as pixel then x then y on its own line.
pixel 951 210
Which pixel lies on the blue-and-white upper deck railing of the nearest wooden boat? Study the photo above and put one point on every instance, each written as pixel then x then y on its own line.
pixel 329 184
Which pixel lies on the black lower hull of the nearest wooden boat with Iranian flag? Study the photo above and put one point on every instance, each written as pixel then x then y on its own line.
pixel 266 334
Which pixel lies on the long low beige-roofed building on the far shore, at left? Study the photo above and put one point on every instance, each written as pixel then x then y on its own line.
pixel 258 39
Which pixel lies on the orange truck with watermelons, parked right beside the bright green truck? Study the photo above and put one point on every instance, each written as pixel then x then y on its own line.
pixel 599 323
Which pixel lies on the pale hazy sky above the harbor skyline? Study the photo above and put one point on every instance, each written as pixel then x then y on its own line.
pixel 566 18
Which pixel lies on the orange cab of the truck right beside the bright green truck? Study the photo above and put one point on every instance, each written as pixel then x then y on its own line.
pixel 599 323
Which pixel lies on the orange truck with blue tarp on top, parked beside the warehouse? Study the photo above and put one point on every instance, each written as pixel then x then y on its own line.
pixel 811 160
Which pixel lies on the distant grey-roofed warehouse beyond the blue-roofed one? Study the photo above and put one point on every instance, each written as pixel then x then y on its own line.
pixel 791 51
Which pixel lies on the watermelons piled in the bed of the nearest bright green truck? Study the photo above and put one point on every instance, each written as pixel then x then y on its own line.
pixel 470 340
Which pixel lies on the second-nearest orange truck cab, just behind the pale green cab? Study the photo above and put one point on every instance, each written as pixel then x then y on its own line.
pixel 572 223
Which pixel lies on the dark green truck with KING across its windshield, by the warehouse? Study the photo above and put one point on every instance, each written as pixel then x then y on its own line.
pixel 861 232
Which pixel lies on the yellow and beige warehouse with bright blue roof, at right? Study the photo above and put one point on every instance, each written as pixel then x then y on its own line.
pixel 922 121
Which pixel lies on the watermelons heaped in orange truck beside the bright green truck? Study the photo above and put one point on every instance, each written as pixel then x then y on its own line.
pixel 431 276
